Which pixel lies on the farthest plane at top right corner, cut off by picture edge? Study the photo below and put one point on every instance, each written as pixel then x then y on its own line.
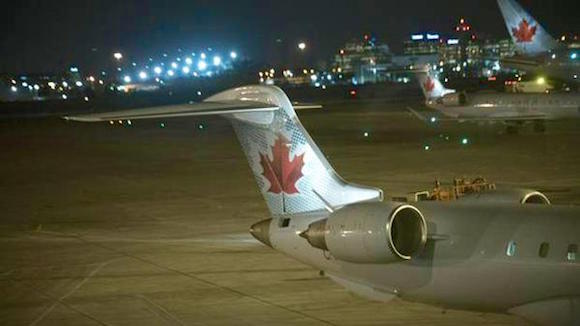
pixel 537 51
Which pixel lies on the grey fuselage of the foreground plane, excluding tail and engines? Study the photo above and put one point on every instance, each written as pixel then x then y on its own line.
pixel 477 256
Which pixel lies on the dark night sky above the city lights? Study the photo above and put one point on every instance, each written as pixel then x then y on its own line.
pixel 45 36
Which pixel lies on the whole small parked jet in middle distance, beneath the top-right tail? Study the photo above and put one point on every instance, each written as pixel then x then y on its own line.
pixel 513 109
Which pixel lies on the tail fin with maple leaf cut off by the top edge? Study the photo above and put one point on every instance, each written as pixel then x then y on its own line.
pixel 527 34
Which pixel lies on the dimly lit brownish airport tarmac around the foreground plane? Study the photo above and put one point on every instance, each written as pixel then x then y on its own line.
pixel 142 225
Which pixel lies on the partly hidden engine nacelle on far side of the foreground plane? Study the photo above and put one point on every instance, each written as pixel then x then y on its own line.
pixel 513 196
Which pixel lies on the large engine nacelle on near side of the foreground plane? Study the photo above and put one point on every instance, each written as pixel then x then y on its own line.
pixel 370 233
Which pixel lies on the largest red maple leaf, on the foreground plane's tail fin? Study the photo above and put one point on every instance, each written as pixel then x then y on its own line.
pixel 281 172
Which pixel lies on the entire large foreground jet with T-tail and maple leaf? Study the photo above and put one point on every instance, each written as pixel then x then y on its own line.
pixel 510 252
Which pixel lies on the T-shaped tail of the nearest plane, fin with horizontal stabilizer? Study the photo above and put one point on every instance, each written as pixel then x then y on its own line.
pixel 292 173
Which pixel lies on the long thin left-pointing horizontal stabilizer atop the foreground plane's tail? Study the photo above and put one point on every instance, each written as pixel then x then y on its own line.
pixel 179 110
